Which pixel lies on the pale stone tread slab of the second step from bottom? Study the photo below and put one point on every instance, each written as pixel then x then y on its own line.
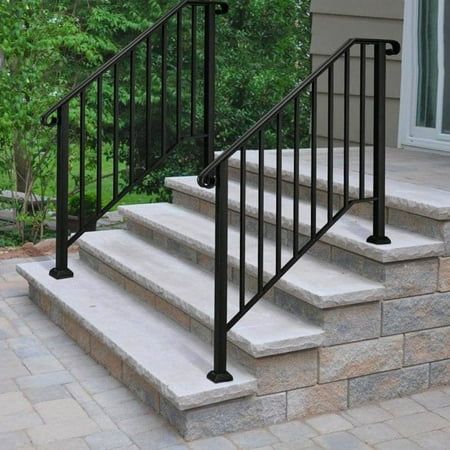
pixel 266 330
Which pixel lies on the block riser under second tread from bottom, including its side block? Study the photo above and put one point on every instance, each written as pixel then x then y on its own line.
pixel 273 373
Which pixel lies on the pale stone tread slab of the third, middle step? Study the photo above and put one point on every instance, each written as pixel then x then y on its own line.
pixel 320 283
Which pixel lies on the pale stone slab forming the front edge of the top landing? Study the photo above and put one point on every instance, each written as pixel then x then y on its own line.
pixel 417 199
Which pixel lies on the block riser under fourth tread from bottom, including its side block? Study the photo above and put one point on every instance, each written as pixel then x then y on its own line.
pixel 404 278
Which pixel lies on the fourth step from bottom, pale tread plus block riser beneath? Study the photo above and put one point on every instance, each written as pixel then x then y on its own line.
pixel 408 266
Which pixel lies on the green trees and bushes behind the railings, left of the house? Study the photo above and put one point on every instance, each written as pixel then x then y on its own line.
pixel 48 46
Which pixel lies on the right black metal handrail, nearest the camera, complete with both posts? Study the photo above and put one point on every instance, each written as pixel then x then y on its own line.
pixel 216 174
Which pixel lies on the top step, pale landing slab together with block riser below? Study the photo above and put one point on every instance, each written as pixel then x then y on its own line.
pixel 414 207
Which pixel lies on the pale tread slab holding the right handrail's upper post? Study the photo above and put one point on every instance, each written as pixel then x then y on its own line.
pixel 350 232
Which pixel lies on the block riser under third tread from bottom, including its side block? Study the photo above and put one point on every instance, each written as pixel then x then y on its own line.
pixel 341 324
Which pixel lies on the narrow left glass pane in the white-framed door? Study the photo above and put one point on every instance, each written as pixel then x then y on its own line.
pixel 428 63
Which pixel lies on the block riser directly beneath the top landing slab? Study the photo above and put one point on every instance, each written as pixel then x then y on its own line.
pixel 427 226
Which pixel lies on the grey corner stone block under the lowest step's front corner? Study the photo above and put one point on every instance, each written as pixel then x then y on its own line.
pixel 226 417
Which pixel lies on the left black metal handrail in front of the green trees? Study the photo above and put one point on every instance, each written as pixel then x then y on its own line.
pixel 111 68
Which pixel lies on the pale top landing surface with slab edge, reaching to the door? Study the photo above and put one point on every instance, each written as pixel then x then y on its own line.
pixel 409 189
